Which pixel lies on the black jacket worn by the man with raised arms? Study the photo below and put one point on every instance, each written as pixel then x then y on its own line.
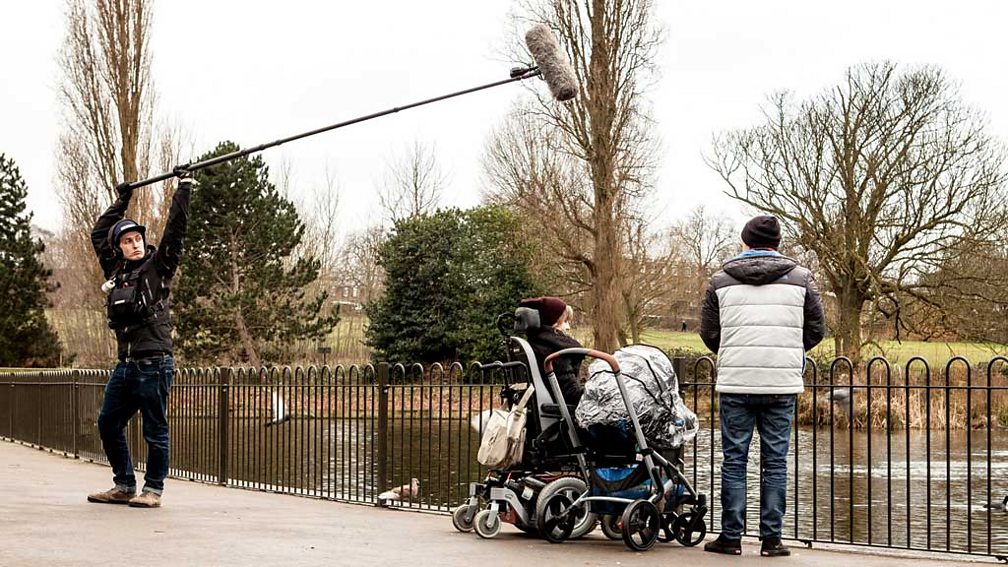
pixel 152 276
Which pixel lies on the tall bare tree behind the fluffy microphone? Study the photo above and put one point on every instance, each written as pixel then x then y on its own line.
pixel 583 167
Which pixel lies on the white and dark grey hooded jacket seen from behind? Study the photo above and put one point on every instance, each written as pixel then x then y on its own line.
pixel 762 313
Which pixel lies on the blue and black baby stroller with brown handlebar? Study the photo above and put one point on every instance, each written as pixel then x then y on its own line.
pixel 631 504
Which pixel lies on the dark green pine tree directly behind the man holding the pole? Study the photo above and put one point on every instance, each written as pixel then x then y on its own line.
pixel 241 293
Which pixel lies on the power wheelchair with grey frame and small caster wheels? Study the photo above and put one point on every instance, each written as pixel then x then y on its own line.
pixel 549 467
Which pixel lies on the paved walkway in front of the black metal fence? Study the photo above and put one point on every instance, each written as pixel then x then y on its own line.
pixel 45 520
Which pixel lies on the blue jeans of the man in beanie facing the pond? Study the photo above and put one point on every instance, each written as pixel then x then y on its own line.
pixel 773 416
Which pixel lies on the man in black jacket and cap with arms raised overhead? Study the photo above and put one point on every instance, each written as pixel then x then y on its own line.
pixel 139 276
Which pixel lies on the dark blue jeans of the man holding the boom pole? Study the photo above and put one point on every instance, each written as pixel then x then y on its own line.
pixel 138 386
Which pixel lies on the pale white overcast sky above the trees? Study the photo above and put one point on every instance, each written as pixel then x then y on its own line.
pixel 253 72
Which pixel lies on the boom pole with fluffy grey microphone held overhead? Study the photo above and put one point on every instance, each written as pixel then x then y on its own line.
pixel 552 67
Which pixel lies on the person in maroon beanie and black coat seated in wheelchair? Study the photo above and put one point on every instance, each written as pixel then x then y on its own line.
pixel 555 317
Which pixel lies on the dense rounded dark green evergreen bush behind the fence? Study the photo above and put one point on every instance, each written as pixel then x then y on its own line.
pixel 448 277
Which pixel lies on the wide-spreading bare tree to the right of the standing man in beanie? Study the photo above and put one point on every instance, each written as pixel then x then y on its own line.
pixel 880 177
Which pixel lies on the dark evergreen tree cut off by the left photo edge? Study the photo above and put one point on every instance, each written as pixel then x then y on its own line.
pixel 27 339
